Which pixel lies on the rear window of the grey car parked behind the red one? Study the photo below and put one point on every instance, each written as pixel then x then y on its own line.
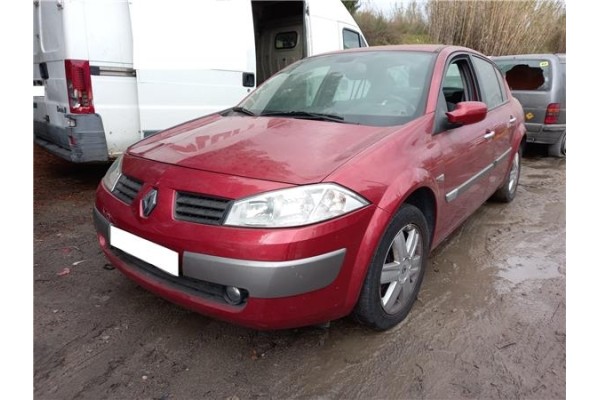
pixel 526 74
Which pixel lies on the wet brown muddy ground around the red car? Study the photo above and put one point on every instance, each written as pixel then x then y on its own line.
pixel 489 321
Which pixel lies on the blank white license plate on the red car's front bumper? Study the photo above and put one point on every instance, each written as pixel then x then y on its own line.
pixel 152 253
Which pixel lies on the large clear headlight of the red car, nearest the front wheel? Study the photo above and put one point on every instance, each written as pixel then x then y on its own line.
pixel 294 206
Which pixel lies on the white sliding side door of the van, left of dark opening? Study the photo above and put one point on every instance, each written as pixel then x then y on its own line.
pixel 191 58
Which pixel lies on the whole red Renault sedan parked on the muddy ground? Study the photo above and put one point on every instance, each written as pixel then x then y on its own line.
pixel 322 193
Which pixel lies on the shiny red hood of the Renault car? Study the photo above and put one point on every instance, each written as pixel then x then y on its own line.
pixel 295 151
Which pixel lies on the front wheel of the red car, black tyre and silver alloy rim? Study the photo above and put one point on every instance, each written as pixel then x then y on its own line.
pixel 406 276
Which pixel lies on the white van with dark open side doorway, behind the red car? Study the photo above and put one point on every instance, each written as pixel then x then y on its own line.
pixel 116 71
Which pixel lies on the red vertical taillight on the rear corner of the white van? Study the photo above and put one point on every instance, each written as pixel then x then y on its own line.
pixel 79 86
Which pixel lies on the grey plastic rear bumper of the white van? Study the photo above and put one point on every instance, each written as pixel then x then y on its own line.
pixel 84 142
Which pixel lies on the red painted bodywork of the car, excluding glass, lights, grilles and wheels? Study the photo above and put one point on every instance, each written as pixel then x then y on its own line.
pixel 239 156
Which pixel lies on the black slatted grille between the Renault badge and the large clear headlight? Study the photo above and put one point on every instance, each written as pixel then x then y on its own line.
pixel 200 209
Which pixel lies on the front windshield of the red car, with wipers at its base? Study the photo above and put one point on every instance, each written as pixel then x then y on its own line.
pixel 368 88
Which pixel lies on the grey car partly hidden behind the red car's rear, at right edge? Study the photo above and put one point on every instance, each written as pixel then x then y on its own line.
pixel 539 82
